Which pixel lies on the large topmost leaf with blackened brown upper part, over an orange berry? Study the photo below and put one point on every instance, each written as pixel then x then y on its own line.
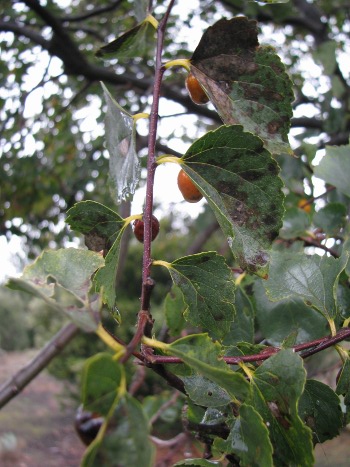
pixel 246 83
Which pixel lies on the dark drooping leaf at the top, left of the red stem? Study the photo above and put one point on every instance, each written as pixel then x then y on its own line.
pixel 132 44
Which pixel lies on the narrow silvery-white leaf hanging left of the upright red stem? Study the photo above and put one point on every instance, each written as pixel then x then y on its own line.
pixel 124 163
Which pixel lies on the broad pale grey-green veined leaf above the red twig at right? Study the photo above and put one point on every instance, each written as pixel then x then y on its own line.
pixel 314 279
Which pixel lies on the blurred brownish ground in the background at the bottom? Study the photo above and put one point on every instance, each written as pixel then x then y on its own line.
pixel 38 426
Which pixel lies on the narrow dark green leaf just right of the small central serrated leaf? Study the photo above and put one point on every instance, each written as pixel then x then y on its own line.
pixel 242 328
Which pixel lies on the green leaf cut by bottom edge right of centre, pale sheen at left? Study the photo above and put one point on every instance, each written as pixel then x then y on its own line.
pixel 246 430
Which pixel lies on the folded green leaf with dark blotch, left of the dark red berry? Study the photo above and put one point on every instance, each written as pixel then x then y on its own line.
pixel 101 226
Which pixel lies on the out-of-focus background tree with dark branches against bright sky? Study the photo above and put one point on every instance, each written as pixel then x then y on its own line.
pixel 51 137
